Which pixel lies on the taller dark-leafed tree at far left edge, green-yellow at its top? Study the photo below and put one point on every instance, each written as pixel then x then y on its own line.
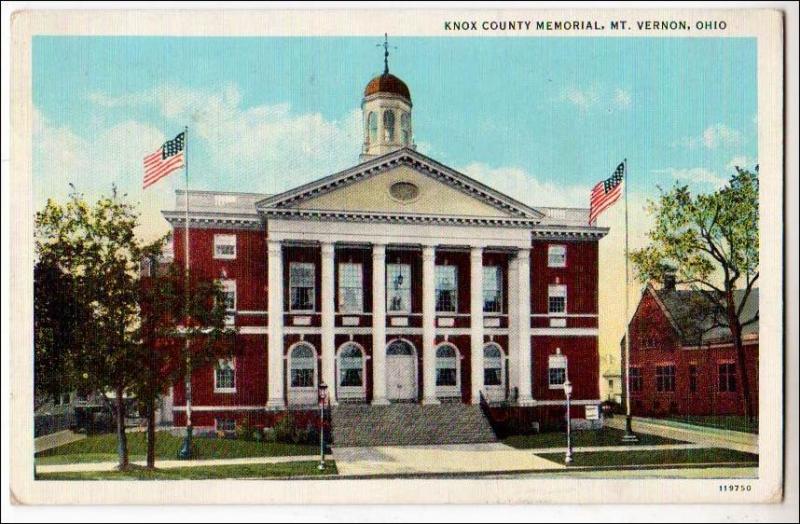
pixel 95 249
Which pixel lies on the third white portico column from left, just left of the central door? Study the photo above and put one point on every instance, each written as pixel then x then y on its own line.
pixel 379 325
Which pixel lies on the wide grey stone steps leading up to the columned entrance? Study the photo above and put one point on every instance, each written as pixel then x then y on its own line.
pixel 409 424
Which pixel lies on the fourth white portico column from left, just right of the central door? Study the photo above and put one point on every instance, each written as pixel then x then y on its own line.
pixel 428 326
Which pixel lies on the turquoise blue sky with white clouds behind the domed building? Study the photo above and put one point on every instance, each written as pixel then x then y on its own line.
pixel 542 119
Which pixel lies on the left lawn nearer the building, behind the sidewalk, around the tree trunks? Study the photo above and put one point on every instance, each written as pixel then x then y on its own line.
pixel 103 448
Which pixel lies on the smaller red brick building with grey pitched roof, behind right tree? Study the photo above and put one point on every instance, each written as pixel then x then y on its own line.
pixel 682 361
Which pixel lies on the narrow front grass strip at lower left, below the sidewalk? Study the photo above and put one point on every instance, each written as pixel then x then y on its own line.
pixel 239 471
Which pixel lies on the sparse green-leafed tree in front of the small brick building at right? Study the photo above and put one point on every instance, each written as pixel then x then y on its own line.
pixel 710 241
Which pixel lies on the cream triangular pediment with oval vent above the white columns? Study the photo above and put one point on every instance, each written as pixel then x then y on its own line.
pixel 402 182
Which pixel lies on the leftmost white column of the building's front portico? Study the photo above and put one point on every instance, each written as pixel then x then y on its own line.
pixel 275 379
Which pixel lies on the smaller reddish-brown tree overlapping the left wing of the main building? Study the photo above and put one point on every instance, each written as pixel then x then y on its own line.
pixel 165 334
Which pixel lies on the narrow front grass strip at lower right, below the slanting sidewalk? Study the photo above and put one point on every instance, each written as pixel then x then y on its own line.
pixel 668 456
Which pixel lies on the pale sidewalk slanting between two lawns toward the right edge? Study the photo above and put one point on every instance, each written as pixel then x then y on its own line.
pixel 705 436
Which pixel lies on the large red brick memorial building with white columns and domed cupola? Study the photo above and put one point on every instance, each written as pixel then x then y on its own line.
pixel 397 280
